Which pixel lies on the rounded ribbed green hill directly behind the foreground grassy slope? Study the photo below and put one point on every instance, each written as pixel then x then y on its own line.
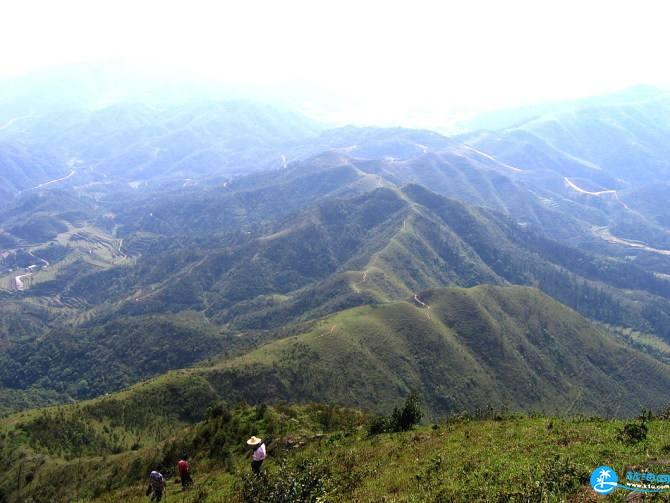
pixel 466 348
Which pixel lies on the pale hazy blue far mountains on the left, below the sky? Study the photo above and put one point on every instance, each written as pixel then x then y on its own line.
pixel 128 143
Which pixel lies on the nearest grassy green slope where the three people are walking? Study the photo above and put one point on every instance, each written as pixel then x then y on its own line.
pixel 317 453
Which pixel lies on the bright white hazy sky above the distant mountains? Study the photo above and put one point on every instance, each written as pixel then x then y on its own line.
pixel 383 61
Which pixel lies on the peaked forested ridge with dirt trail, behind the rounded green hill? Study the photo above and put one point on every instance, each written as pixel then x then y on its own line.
pixel 95 332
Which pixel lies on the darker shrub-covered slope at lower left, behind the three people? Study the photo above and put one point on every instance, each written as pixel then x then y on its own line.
pixel 109 443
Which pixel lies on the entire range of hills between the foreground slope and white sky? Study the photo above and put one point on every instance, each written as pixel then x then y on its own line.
pixel 248 241
